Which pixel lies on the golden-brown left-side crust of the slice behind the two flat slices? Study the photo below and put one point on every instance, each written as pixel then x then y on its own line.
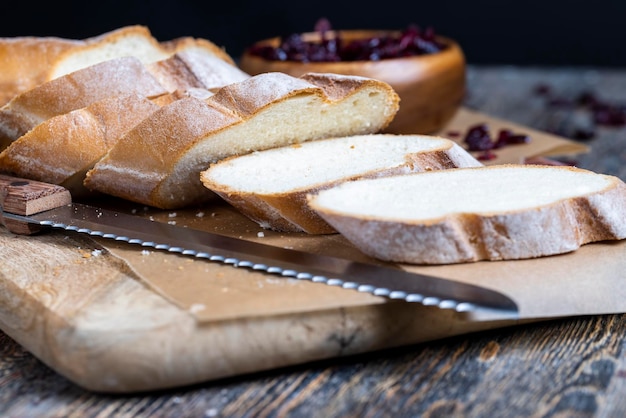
pixel 135 168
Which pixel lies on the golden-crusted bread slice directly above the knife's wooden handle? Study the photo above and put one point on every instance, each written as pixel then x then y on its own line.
pixel 62 149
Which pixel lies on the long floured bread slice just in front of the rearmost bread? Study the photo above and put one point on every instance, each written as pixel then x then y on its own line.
pixel 186 69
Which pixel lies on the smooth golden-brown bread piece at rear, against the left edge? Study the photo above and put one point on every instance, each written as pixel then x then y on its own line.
pixel 25 60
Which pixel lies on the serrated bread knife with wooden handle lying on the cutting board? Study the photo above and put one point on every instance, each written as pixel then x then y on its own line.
pixel 28 207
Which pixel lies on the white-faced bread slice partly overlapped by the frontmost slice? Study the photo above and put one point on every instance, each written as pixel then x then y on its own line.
pixel 270 187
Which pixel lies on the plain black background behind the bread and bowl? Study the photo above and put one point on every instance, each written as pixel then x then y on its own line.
pixel 528 33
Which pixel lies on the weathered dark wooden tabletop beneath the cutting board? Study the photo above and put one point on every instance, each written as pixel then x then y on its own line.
pixel 574 367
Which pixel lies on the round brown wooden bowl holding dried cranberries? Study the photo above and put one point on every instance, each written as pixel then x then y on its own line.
pixel 431 87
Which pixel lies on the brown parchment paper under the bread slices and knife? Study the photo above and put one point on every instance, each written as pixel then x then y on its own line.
pixel 585 282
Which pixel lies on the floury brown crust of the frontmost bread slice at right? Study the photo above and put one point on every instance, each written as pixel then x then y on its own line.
pixel 556 228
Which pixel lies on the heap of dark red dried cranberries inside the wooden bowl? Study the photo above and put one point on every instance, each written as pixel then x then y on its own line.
pixel 332 47
